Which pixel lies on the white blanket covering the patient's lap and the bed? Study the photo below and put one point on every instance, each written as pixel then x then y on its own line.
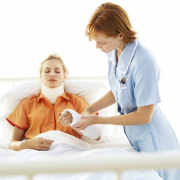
pixel 68 146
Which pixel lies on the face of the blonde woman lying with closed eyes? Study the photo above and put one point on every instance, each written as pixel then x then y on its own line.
pixel 52 74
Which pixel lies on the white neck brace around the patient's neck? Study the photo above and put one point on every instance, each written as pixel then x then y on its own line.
pixel 51 94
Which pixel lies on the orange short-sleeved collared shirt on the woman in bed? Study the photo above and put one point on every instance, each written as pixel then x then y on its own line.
pixel 36 115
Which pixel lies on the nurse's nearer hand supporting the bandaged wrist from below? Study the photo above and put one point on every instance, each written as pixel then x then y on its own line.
pixel 87 120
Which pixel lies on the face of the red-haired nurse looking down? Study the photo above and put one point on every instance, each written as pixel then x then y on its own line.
pixel 107 44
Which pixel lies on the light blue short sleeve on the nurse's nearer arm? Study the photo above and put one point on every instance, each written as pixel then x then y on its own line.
pixel 146 90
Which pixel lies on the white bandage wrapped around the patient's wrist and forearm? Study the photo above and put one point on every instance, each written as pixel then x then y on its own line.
pixel 92 131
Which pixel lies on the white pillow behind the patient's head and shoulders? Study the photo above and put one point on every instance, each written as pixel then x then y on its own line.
pixel 89 90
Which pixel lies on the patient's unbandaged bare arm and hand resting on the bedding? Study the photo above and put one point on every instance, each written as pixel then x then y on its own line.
pixel 18 144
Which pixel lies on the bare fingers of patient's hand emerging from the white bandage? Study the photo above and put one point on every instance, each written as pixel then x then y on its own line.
pixel 65 118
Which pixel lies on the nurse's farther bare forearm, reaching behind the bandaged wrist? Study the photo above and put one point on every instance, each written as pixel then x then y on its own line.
pixel 107 100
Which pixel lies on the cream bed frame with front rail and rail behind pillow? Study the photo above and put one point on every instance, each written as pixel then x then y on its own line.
pixel 64 165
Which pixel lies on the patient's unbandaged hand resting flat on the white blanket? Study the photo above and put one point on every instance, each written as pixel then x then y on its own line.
pixel 40 144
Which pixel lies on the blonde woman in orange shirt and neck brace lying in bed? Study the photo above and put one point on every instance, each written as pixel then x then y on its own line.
pixel 38 114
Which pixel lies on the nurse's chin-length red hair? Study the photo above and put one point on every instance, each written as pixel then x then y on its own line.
pixel 110 19
